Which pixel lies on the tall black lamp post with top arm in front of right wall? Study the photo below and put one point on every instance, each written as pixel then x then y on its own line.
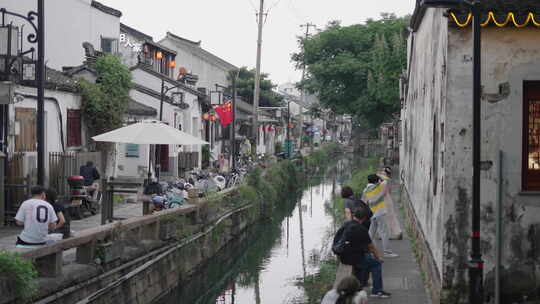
pixel 476 263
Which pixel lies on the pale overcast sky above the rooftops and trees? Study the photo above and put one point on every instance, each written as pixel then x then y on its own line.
pixel 228 28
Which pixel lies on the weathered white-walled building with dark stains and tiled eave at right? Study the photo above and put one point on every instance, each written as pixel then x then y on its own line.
pixel 436 157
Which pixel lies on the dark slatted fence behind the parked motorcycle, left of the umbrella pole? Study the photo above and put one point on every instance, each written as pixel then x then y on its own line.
pixel 65 164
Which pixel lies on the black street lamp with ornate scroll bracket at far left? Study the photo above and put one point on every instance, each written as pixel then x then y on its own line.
pixel 10 53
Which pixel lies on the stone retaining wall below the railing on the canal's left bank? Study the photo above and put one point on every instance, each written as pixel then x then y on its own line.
pixel 151 275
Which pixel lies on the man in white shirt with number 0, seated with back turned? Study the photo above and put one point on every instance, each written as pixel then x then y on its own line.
pixel 37 216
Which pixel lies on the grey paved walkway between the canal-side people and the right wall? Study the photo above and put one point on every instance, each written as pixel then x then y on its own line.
pixel 401 275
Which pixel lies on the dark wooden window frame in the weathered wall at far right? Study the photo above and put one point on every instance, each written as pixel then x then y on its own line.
pixel 530 180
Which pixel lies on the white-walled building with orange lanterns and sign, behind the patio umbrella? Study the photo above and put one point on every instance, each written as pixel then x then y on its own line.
pixel 152 65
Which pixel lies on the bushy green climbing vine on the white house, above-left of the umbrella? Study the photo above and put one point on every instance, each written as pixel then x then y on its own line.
pixel 104 103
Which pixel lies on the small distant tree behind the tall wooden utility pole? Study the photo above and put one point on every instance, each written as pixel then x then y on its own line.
pixel 245 85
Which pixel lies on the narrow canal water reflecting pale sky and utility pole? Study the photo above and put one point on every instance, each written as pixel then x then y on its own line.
pixel 268 263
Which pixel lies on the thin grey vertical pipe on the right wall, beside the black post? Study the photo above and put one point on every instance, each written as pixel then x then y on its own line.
pixel 498 241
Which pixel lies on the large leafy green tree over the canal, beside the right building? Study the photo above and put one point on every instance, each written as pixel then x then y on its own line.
pixel 355 69
